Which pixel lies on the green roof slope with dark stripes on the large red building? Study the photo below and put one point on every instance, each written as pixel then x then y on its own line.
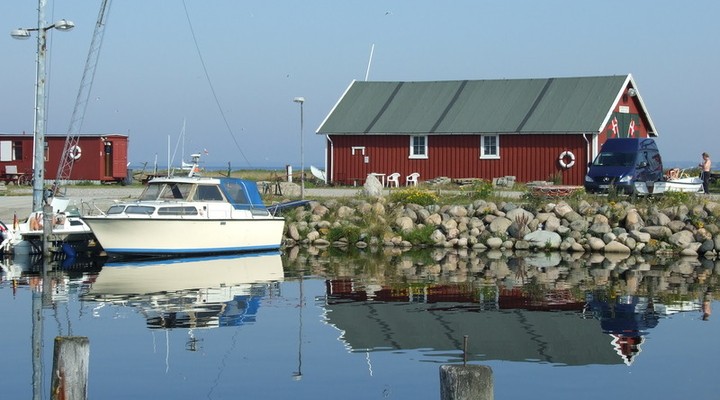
pixel 551 105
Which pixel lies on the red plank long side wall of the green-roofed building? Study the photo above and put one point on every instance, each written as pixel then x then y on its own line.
pixel 527 157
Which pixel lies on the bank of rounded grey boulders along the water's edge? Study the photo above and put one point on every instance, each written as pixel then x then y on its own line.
pixel 622 227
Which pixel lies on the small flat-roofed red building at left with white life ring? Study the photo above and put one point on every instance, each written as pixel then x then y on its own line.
pixel 97 157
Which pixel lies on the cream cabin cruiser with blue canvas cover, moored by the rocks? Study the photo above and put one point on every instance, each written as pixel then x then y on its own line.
pixel 189 215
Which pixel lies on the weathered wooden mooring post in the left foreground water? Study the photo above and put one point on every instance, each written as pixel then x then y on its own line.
pixel 70 368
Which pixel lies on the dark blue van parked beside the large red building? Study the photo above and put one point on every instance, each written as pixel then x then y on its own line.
pixel 622 162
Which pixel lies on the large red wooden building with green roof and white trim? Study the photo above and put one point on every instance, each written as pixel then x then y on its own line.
pixel 533 129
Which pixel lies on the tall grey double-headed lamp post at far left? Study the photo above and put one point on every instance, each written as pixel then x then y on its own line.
pixel 39 134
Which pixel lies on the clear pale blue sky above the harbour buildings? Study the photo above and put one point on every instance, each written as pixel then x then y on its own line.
pixel 228 70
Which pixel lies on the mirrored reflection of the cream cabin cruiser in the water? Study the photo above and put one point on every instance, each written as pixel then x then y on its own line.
pixel 191 292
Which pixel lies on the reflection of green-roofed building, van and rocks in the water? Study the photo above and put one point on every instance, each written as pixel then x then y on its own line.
pixel 551 308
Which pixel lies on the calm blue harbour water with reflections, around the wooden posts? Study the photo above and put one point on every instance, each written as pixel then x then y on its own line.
pixel 322 324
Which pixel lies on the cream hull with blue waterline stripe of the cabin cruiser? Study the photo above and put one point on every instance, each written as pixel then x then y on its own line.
pixel 153 236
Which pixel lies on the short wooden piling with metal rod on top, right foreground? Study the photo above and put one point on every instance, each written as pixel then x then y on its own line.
pixel 465 382
